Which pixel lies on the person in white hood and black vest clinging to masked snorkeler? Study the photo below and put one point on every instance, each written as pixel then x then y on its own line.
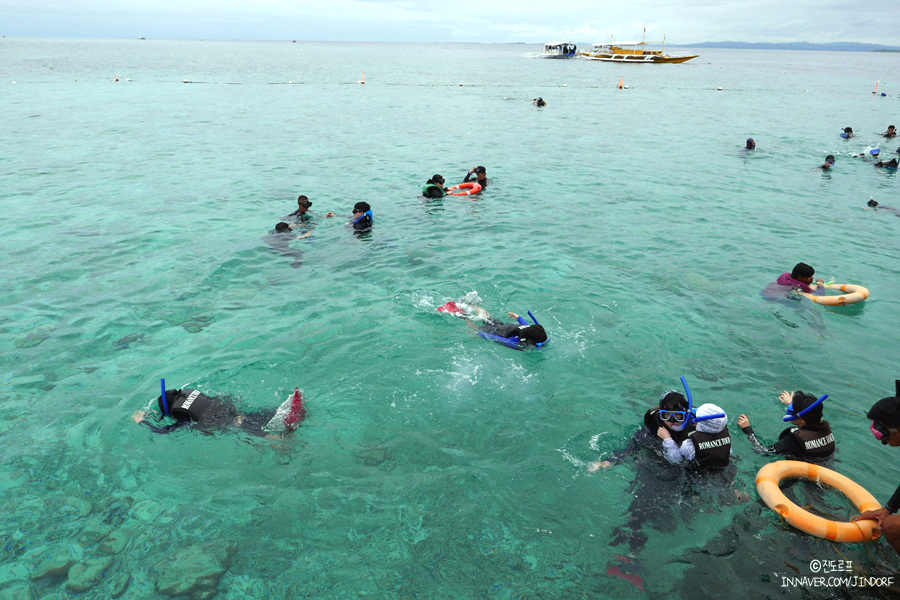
pixel 709 445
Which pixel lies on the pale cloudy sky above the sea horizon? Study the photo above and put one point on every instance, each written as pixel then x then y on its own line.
pixel 486 21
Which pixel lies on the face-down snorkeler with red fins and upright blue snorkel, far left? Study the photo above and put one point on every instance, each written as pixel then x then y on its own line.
pixel 192 409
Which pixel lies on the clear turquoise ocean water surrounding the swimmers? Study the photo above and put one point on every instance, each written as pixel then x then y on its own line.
pixel 433 464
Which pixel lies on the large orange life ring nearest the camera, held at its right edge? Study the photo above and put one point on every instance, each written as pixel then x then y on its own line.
pixel 770 476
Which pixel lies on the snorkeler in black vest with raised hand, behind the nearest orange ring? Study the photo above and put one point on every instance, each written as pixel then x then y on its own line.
pixel 808 438
